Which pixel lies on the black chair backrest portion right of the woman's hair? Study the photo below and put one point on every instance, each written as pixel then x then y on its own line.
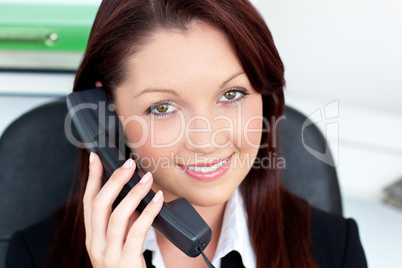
pixel 313 179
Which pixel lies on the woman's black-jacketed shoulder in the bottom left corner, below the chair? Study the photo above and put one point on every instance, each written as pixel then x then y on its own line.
pixel 29 247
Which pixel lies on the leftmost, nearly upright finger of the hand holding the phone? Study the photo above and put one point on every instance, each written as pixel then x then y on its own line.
pixel 94 184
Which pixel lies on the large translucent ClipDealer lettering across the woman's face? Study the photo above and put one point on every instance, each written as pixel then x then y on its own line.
pixel 234 128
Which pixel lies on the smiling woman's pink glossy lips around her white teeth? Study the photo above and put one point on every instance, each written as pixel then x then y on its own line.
pixel 210 176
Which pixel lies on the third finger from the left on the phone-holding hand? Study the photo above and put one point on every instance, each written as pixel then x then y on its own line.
pixel 120 217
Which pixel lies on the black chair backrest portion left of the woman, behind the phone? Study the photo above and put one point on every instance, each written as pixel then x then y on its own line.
pixel 36 169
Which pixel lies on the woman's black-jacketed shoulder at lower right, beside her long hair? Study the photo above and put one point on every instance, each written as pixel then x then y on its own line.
pixel 336 241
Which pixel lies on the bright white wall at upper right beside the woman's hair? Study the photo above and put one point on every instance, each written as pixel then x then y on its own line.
pixel 347 49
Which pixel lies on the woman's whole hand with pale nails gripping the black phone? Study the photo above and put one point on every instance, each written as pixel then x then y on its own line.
pixel 116 239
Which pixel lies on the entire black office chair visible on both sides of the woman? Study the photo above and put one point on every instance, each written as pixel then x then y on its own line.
pixel 37 165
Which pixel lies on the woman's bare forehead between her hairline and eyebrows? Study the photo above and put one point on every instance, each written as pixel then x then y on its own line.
pixel 196 55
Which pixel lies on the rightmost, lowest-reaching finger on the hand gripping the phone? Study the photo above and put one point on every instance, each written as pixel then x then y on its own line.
pixel 138 231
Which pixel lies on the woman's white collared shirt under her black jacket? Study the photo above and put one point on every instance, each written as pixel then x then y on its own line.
pixel 234 236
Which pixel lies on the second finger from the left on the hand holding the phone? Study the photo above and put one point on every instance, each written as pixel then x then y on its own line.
pixel 102 204
